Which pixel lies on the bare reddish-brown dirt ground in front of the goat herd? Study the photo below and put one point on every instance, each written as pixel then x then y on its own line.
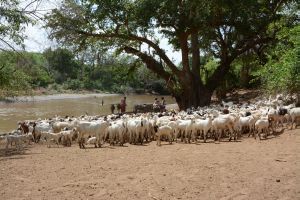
pixel 248 169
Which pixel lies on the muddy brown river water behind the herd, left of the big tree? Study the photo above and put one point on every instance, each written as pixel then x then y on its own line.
pixel 71 105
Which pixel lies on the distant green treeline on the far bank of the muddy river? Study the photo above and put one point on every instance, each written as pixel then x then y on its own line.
pixel 60 69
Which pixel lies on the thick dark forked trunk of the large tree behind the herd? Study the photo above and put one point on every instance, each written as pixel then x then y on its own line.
pixel 192 92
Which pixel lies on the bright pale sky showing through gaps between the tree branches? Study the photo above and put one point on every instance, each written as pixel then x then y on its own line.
pixel 37 36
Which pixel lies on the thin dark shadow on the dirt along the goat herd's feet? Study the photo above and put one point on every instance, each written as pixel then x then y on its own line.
pixel 13 153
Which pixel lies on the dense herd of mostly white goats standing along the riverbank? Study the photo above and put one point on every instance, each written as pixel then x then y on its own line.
pixel 214 122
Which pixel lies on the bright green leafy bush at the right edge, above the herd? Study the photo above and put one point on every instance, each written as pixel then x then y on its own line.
pixel 281 73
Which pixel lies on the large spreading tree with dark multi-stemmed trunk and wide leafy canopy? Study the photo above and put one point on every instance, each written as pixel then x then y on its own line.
pixel 226 29
